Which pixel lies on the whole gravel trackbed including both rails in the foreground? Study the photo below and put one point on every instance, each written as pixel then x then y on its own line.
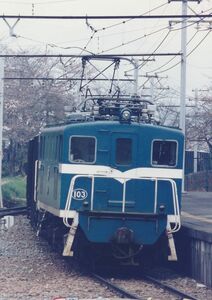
pixel 115 283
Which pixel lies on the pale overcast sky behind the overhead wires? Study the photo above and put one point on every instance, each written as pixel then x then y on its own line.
pixel 117 36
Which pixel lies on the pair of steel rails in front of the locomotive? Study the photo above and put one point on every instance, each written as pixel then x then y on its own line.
pixel 127 294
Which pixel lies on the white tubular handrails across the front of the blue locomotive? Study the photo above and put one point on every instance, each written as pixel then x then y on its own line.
pixel 177 223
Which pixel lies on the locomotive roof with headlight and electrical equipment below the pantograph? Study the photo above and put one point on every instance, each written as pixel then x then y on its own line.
pixel 125 112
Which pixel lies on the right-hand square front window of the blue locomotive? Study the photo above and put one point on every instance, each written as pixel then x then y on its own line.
pixel 164 153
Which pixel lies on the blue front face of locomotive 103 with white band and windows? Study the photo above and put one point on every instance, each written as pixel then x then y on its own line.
pixel 125 186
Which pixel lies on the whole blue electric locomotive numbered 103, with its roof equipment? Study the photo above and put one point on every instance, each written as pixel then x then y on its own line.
pixel 109 180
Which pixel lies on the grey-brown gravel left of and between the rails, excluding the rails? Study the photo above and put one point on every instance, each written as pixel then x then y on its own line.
pixel 30 269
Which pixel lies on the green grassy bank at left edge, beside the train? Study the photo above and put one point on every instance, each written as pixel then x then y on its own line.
pixel 14 191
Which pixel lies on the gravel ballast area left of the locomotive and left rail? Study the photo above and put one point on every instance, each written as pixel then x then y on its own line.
pixel 29 269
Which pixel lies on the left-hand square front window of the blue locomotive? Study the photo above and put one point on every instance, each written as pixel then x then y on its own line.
pixel 82 149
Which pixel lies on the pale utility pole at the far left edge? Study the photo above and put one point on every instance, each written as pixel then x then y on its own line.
pixel 1 122
